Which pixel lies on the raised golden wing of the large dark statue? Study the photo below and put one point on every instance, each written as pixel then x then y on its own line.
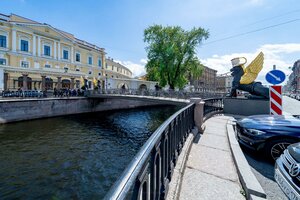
pixel 252 70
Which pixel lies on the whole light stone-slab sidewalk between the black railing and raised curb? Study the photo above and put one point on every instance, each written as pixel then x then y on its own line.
pixel 210 172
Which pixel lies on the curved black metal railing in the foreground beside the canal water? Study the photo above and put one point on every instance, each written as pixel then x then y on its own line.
pixel 149 173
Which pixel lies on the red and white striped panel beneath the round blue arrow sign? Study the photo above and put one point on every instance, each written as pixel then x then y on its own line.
pixel 276 100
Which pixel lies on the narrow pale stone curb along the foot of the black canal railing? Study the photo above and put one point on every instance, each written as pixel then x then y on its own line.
pixel 176 181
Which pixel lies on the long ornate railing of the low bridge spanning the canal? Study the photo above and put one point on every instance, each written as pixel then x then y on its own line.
pixel 160 93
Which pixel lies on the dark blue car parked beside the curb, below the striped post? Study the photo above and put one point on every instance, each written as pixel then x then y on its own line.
pixel 271 134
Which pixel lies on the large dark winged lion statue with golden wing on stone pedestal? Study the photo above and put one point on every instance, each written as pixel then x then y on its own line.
pixel 244 77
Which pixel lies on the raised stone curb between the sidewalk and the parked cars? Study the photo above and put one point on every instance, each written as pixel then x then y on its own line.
pixel 248 180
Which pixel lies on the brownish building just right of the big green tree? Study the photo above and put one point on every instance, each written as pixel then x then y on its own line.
pixel 207 81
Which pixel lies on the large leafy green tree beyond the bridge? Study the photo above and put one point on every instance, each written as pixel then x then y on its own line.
pixel 172 56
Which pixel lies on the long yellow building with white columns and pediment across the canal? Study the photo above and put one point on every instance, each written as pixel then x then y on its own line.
pixel 38 56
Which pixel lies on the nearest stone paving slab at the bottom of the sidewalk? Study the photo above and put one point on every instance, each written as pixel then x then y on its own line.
pixel 199 185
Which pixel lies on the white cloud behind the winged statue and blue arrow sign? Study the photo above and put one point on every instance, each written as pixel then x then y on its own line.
pixel 281 55
